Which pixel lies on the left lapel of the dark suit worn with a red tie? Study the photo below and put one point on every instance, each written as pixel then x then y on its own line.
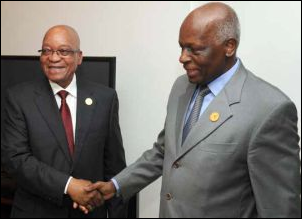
pixel 48 107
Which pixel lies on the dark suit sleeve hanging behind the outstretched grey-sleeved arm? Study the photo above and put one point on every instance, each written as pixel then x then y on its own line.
pixel 115 160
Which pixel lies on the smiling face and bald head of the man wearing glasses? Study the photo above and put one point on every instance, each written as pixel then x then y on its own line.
pixel 58 68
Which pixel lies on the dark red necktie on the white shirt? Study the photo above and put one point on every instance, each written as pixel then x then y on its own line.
pixel 67 122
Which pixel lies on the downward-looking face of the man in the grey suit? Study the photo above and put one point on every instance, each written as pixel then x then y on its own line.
pixel 201 56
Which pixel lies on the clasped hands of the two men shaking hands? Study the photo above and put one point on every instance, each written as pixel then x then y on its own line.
pixel 87 195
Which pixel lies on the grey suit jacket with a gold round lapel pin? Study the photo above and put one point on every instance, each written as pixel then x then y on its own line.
pixel 246 164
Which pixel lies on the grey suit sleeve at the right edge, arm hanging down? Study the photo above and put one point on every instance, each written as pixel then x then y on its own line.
pixel 274 164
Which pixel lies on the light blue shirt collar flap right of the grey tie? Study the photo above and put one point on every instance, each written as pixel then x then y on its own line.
pixel 219 83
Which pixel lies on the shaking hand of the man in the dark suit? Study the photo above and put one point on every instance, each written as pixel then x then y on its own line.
pixel 78 194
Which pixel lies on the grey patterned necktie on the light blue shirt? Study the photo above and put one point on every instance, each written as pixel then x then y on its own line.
pixel 194 116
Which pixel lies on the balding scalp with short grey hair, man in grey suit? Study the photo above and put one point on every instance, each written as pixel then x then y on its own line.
pixel 218 16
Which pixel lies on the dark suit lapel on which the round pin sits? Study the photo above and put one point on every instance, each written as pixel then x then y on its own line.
pixel 84 116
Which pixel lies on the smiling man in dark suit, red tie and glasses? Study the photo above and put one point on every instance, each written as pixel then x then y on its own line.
pixel 60 135
